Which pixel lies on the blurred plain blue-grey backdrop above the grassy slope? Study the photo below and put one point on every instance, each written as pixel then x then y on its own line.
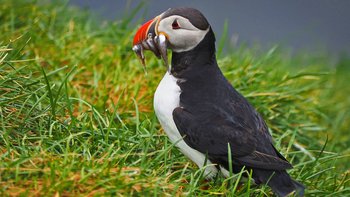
pixel 318 26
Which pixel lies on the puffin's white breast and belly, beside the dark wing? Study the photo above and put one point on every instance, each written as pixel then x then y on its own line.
pixel 166 99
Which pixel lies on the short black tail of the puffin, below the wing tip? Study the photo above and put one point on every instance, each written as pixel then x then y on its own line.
pixel 280 182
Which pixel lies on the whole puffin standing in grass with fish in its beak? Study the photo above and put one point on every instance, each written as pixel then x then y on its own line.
pixel 202 114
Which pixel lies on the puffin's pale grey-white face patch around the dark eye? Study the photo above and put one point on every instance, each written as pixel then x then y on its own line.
pixel 181 34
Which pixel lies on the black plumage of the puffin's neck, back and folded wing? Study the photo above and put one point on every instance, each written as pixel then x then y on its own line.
pixel 212 113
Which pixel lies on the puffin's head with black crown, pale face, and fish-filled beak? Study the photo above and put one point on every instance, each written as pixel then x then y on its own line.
pixel 177 29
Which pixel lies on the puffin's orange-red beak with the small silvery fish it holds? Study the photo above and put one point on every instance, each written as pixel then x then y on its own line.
pixel 147 38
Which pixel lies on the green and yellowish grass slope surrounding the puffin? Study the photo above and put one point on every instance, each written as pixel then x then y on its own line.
pixel 76 113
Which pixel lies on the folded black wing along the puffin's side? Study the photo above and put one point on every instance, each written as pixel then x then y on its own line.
pixel 210 129
